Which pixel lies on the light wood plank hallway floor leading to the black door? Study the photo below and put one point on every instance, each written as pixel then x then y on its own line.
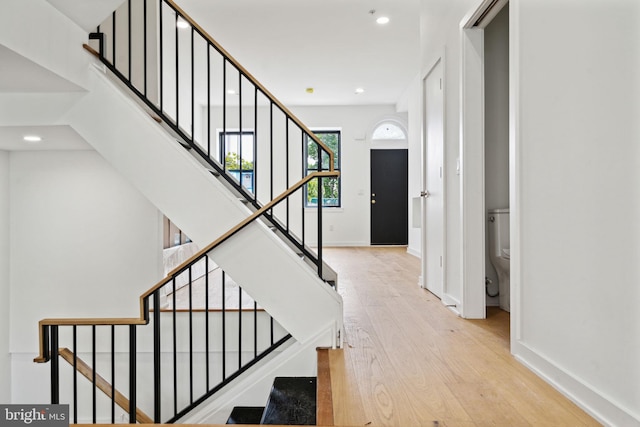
pixel 408 361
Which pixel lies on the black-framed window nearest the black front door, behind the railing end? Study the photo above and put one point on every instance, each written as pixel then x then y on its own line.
pixel 330 186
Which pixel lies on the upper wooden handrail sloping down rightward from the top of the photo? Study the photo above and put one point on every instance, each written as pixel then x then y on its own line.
pixel 253 80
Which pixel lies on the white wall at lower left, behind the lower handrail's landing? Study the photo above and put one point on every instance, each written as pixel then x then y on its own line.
pixel 83 242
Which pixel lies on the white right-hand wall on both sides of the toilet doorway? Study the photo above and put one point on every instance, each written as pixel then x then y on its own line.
pixel 575 163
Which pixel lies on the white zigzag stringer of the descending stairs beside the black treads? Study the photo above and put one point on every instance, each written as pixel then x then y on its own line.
pixel 252 389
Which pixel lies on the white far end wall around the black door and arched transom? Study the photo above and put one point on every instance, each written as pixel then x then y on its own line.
pixel 350 224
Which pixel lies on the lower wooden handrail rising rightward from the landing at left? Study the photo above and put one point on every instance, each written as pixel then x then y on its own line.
pixel 142 320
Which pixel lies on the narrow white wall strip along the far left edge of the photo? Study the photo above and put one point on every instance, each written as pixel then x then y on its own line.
pixel 5 360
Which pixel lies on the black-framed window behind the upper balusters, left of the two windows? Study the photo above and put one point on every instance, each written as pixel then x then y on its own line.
pixel 237 149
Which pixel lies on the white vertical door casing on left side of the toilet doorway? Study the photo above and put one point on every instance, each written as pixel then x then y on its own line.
pixel 472 204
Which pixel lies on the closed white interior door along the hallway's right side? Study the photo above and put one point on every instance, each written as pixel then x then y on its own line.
pixel 433 195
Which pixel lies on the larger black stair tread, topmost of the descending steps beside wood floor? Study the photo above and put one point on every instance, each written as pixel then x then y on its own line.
pixel 292 401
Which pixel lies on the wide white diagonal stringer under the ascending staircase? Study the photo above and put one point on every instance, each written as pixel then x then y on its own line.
pixel 174 181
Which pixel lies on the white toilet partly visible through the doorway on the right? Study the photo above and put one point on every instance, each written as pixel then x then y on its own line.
pixel 499 251
